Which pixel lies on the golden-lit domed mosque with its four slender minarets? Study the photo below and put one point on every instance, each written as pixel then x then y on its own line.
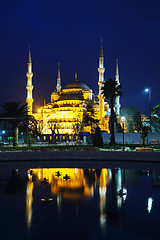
pixel 65 111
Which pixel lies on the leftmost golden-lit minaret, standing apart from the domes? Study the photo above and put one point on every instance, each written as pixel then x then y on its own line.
pixel 29 86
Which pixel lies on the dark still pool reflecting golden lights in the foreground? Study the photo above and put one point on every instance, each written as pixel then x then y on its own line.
pixel 78 203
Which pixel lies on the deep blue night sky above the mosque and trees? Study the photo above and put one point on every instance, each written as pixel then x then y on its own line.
pixel 70 32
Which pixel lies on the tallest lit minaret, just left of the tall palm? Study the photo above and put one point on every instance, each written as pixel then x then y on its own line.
pixel 101 71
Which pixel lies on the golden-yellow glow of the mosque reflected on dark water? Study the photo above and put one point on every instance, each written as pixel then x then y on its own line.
pixel 68 183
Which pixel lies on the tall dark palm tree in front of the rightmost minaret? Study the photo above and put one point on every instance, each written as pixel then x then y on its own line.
pixel 110 90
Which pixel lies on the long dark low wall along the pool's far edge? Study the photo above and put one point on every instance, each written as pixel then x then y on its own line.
pixel 80 155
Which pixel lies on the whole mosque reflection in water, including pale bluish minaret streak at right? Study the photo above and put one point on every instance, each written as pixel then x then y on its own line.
pixel 73 184
